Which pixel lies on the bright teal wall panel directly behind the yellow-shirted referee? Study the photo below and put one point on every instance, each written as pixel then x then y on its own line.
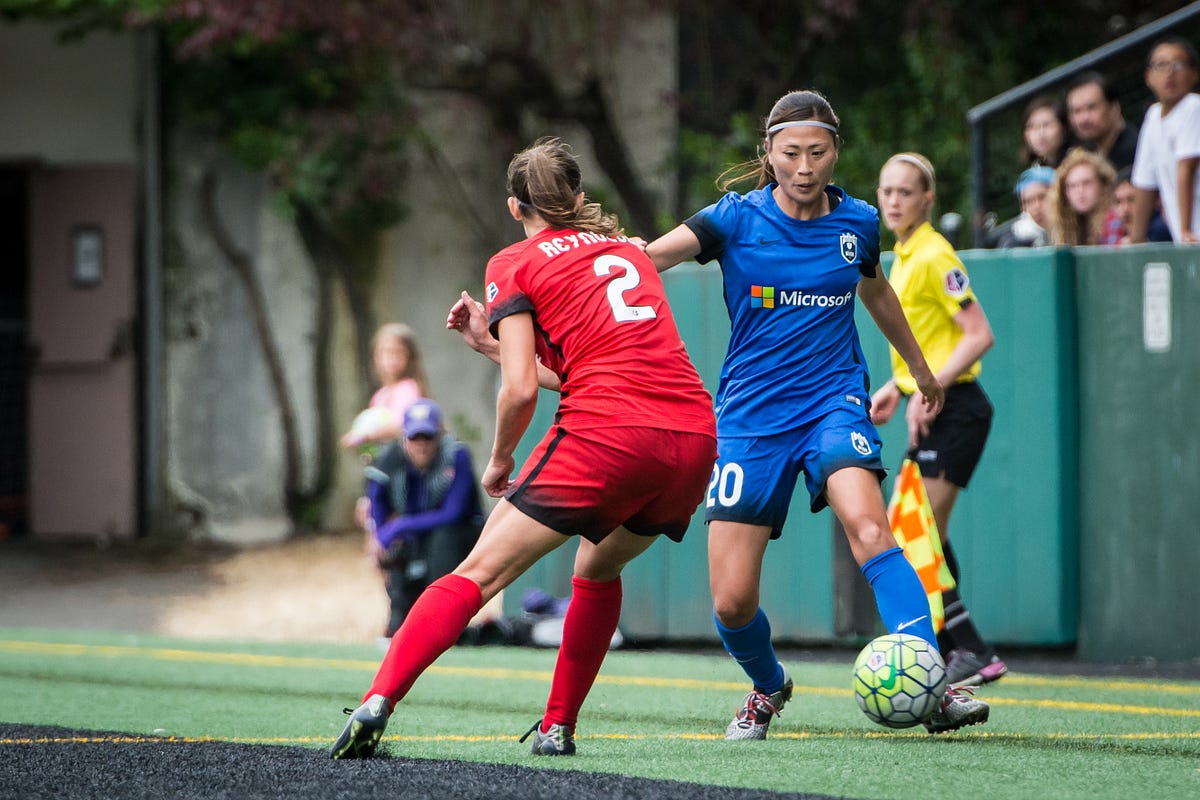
pixel 1013 530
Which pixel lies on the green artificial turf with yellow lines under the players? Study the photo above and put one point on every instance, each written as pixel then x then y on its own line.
pixel 651 714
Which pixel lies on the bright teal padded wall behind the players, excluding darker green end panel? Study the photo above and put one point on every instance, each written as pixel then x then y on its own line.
pixel 1015 530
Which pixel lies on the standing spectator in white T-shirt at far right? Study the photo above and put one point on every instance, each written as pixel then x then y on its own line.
pixel 1169 146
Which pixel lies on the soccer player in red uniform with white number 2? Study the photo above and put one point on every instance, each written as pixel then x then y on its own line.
pixel 577 308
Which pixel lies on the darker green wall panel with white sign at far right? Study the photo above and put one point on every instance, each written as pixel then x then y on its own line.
pixel 1139 453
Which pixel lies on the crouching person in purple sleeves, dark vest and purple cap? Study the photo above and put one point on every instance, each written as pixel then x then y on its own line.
pixel 425 508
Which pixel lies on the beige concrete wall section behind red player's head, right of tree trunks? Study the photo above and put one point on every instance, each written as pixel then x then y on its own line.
pixel 442 249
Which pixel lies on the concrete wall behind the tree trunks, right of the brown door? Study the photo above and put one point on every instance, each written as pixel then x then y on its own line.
pixel 224 449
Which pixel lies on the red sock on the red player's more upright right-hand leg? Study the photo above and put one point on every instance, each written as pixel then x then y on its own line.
pixel 591 621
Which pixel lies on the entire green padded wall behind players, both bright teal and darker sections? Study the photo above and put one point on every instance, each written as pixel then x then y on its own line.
pixel 1083 519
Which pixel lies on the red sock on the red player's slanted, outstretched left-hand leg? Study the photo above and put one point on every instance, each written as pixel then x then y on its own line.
pixel 436 622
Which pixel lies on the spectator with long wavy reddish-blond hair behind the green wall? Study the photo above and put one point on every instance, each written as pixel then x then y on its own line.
pixel 1081 199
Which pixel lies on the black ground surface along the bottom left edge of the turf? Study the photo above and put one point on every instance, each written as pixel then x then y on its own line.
pixel 38 762
